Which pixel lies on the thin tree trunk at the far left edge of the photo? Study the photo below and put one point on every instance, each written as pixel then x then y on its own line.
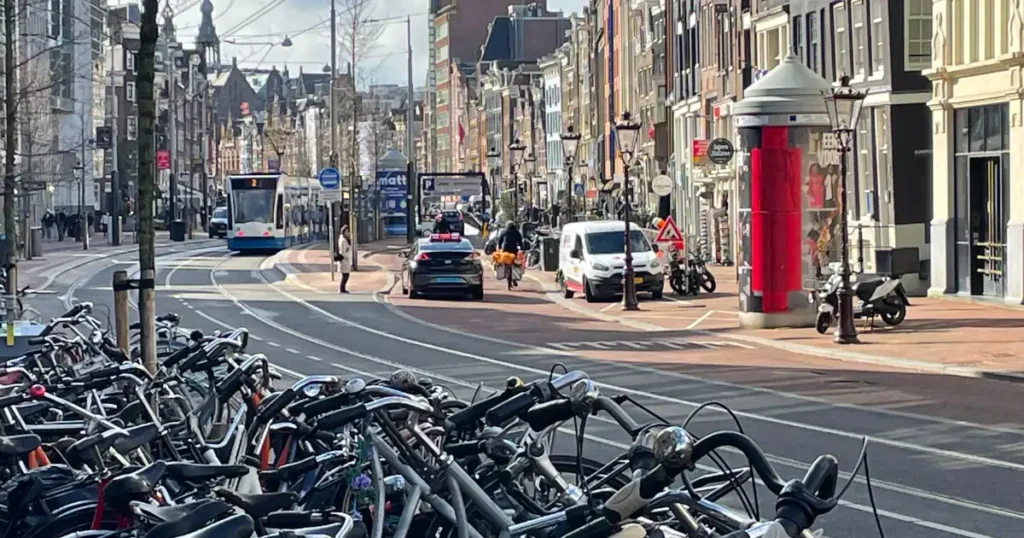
pixel 11 147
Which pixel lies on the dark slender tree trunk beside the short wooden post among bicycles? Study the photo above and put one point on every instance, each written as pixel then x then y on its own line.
pixel 147 184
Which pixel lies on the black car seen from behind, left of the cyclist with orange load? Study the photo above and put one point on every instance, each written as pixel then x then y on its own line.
pixel 443 264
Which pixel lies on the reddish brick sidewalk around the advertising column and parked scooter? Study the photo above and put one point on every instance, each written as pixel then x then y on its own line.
pixel 942 336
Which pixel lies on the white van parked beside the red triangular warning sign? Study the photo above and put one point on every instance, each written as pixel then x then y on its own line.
pixel 592 260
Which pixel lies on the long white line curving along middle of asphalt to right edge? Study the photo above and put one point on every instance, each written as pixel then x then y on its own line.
pixel 984 461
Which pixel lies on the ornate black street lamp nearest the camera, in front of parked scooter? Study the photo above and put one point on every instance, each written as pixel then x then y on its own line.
pixel 844 105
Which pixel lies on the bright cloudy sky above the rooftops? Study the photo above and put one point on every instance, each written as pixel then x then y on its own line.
pixel 386 64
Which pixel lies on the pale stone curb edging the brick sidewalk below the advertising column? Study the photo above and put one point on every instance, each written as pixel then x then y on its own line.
pixel 809 351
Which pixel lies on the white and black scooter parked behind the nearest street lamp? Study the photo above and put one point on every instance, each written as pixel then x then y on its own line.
pixel 881 297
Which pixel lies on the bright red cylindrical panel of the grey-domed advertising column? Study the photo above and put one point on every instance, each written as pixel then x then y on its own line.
pixel 776 220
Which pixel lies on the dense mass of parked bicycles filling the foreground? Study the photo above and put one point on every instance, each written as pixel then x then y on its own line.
pixel 217 445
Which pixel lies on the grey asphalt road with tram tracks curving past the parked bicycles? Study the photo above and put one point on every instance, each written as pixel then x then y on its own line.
pixel 932 476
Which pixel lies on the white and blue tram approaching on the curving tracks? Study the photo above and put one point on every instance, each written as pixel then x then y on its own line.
pixel 269 213
